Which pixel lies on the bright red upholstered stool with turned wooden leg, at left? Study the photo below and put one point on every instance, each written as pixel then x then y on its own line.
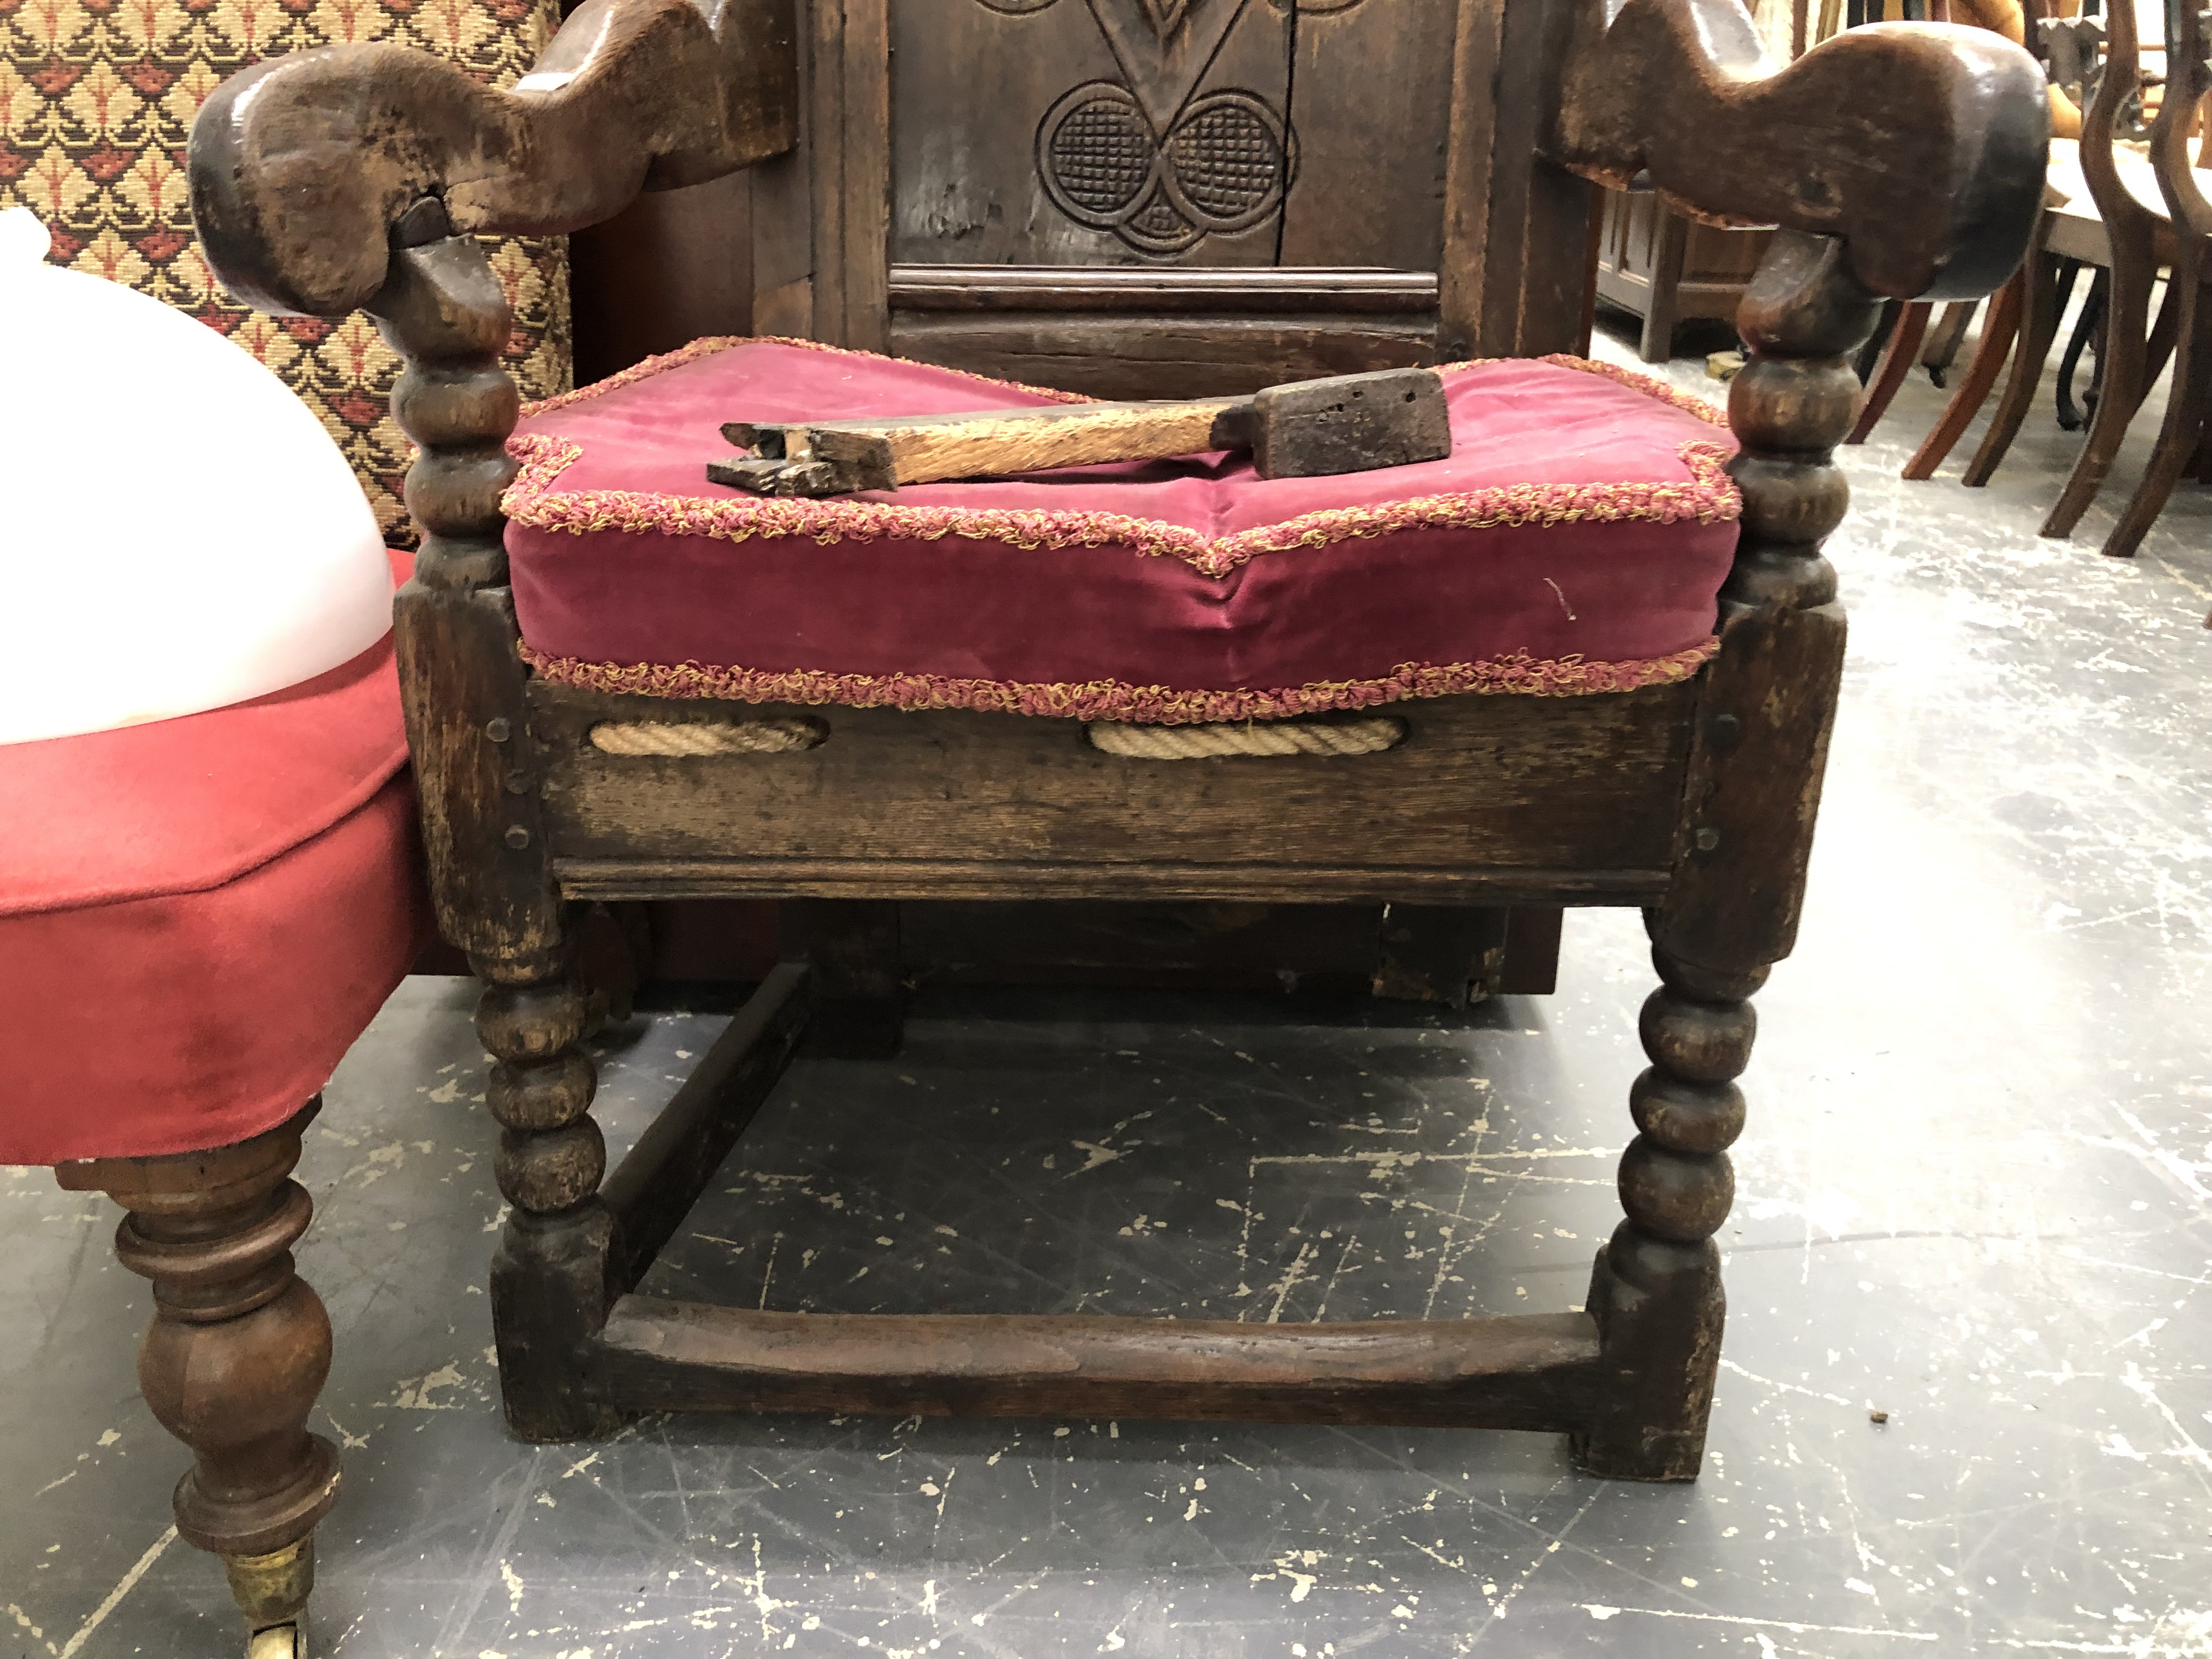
pixel 200 917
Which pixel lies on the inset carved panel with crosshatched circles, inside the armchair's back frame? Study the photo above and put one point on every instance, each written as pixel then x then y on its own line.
pixel 1138 132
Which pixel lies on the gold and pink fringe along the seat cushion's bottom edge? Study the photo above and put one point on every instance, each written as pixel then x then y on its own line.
pixel 1112 700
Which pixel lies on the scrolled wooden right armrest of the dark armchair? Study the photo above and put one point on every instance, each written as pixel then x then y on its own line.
pixel 1921 147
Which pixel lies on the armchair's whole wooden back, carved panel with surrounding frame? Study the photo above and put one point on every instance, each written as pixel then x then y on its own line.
pixel 1158 198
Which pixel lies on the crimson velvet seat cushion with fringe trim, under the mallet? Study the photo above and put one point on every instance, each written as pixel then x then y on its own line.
pixel 1574 541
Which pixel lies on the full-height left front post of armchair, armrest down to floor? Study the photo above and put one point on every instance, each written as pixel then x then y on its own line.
pixel 479 771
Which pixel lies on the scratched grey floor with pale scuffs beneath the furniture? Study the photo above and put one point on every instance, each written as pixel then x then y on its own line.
pixel 1976 1196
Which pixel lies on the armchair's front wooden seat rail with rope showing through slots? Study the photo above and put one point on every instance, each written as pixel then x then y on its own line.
pixel 1503 784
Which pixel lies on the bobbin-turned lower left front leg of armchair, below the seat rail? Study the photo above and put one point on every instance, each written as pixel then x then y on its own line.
pixel 550 1273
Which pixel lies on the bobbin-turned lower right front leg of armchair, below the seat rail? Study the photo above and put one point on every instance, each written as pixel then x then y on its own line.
pixel 1656 1293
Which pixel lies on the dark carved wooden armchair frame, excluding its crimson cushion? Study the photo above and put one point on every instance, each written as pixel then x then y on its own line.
pixel 1693 802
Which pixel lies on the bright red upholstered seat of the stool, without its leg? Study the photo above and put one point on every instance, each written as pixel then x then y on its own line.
pixel 198 917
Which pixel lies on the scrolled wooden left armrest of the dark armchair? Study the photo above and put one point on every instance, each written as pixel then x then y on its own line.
pixel 304 165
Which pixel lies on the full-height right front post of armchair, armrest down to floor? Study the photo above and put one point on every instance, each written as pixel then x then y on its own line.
pixel 1733 901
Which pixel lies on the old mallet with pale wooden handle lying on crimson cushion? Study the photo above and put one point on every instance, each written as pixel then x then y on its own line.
pixel 1348 424
